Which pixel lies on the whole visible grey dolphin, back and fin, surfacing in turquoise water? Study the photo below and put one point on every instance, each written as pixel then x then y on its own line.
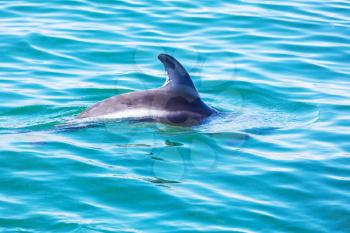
pixel 177 102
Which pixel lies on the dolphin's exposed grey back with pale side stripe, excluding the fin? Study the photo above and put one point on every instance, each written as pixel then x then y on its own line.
pixel 160 105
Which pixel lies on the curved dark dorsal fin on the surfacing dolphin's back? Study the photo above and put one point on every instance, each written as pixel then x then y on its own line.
pixel 177 75
